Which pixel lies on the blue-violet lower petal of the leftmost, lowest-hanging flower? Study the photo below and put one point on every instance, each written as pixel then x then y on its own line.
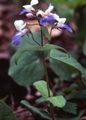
pixel 16 40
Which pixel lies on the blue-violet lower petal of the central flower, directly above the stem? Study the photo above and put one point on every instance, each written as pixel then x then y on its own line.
pixel 47 20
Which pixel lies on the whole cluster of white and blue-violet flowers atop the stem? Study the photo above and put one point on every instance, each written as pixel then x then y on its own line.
pixel 44 18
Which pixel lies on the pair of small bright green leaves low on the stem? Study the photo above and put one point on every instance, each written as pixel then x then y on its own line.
pixel 57 101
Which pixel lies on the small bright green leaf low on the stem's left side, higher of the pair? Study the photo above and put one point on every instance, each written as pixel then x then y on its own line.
pixel 41 86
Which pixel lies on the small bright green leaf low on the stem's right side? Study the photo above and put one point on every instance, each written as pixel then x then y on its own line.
pixel 57 101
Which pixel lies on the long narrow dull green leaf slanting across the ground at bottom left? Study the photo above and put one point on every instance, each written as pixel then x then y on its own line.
pixel 44 114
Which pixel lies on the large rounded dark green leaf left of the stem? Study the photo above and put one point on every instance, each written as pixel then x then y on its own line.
pixel 26 68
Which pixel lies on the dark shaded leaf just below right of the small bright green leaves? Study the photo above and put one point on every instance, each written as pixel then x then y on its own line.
pixel 70 108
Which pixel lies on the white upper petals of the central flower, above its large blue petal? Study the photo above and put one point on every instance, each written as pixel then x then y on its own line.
pixel 47 12
